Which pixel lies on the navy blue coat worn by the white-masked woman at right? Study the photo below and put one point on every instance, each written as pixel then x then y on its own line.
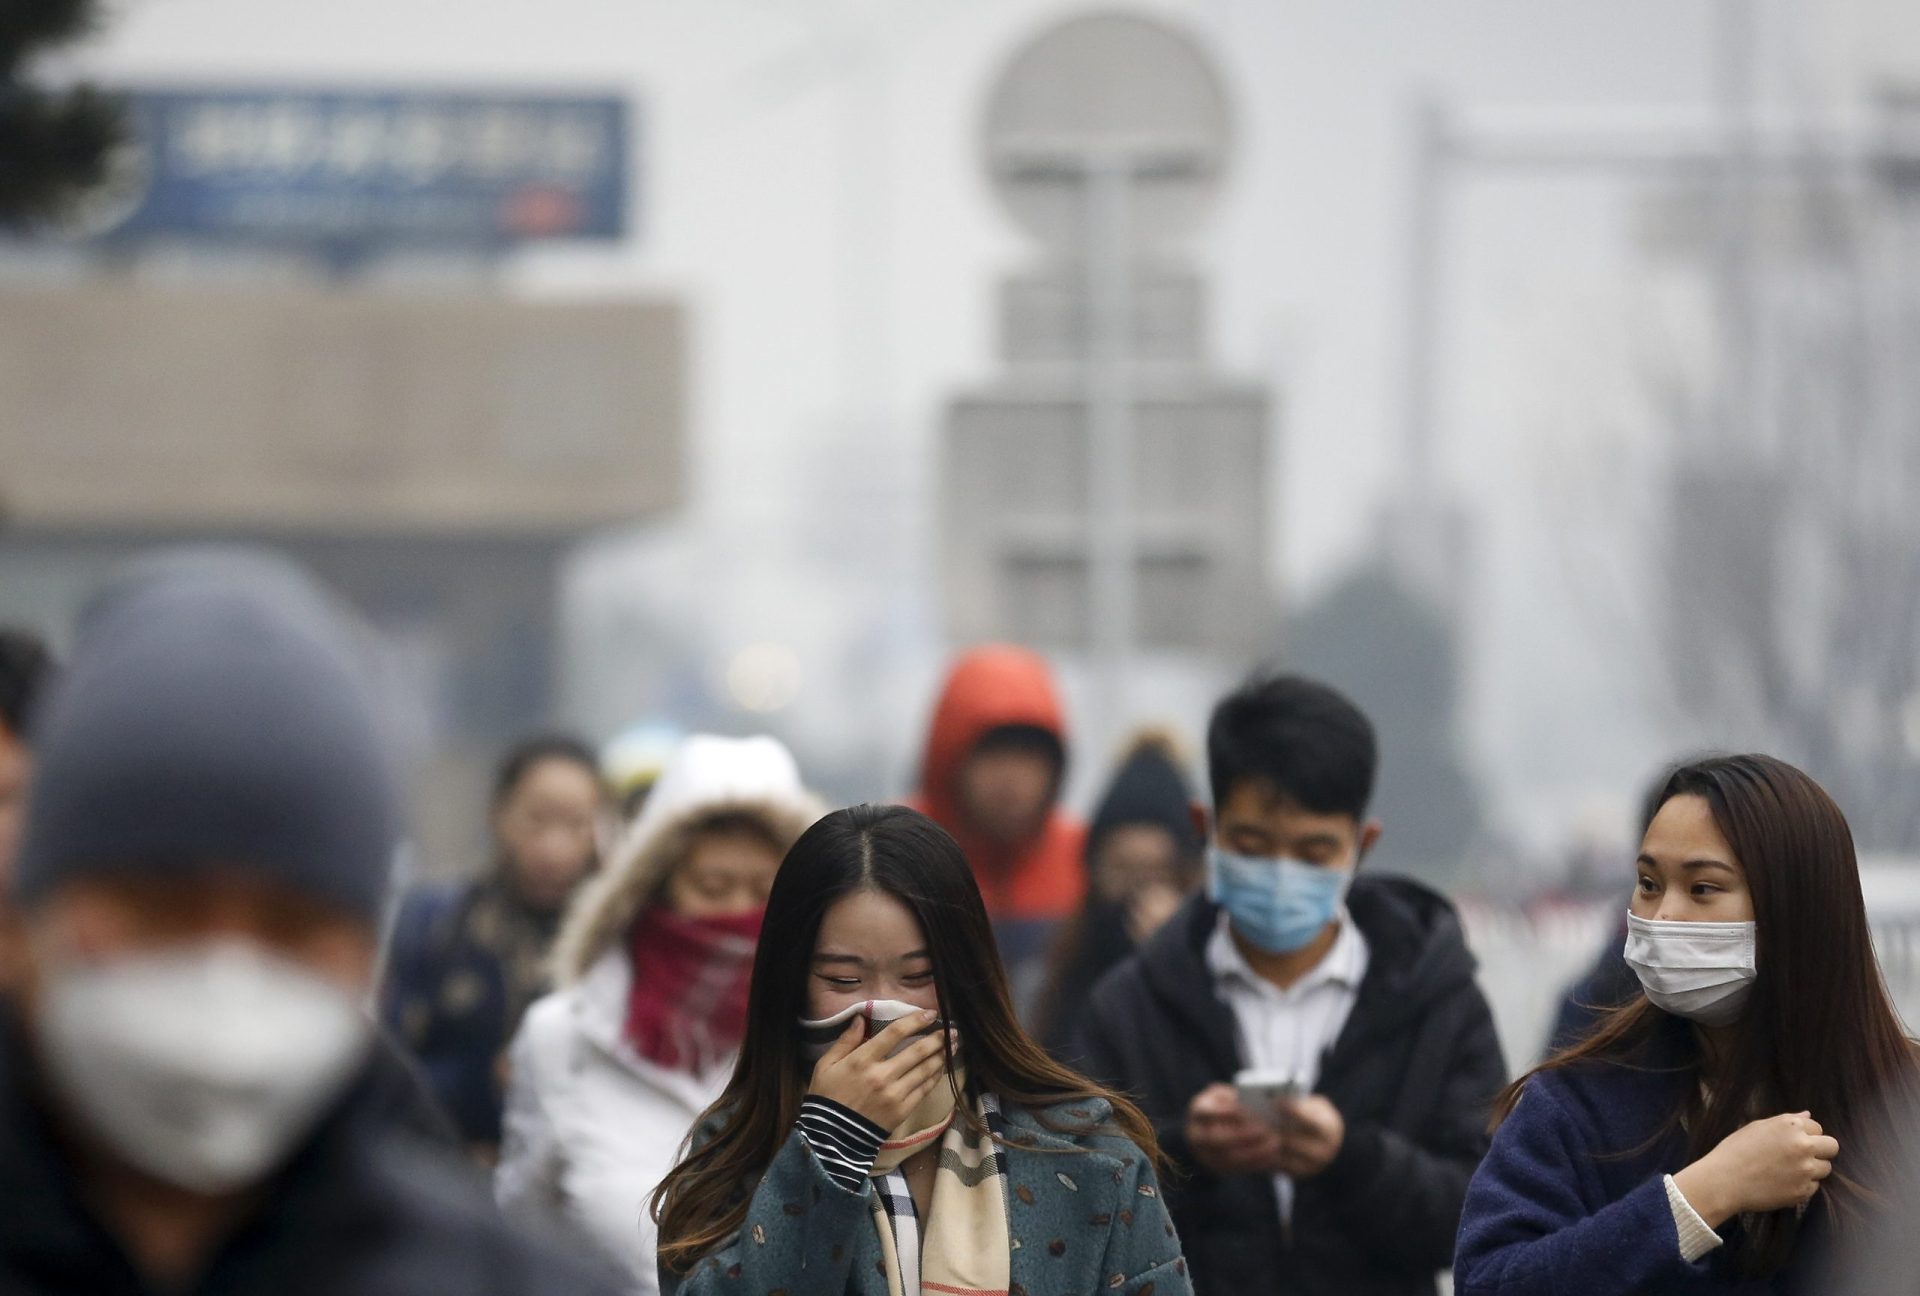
pixel 1573 1195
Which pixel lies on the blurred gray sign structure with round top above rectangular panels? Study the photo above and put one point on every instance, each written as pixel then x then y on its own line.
pixel 1109 494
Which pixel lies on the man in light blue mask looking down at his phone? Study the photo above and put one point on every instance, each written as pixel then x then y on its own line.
pixel 1308 1038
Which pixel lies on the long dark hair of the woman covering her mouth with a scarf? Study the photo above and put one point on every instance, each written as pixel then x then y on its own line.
pixel 909 857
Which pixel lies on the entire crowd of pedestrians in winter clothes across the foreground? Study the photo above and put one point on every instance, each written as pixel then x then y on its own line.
pixel 690 1030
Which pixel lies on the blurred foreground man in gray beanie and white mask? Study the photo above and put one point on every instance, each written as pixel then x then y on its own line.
pixel 191 1097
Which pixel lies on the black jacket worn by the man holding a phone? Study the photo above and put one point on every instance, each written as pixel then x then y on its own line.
pixel 1414 1074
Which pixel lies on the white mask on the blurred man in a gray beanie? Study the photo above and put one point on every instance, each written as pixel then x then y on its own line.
pixel 201 1067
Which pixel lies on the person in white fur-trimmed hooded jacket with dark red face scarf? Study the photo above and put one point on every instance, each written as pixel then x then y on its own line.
pixel 652 965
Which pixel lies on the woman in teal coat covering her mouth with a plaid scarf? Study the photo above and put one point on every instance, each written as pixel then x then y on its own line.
pixel 890 1128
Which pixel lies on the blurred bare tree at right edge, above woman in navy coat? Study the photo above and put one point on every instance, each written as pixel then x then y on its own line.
pixel 1775 592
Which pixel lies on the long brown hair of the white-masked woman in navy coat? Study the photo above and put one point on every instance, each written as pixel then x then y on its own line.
pixel 1819 1032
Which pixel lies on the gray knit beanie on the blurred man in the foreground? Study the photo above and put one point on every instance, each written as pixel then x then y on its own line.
pixel 212 715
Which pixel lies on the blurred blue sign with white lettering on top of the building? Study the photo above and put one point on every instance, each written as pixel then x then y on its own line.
pixel 360 172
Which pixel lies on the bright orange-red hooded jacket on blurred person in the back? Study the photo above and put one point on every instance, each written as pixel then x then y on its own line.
pixel 990 688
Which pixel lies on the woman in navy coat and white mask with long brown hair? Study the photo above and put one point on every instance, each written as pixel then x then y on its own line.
pixel 1717 1132
